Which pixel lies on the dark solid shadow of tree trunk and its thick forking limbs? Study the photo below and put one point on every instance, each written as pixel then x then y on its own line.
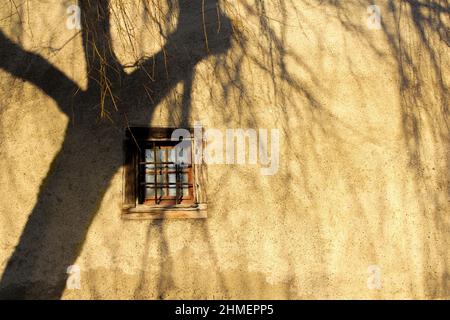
pixel 70 194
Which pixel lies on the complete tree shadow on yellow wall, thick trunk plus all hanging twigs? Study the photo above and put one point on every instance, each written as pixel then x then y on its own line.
pixel 58 225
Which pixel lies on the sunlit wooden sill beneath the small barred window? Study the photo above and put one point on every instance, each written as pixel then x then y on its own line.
pixel 143 212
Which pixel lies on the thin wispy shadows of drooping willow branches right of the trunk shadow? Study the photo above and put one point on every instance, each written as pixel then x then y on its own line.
pixel 263 49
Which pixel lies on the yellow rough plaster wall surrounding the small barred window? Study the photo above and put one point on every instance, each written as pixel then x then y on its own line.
pixel 363 178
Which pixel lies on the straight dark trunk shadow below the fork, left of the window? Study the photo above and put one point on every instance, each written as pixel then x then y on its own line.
pixel 56 228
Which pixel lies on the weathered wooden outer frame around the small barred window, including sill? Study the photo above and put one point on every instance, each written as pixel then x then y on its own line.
pixel 132 209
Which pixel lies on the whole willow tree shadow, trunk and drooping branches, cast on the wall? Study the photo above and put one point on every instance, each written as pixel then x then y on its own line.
pixel 81 172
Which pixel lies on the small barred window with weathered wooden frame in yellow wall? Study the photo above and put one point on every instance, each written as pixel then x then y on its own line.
pixel 161 179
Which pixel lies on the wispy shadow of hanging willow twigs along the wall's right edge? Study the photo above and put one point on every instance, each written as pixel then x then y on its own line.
pixel 418 36
